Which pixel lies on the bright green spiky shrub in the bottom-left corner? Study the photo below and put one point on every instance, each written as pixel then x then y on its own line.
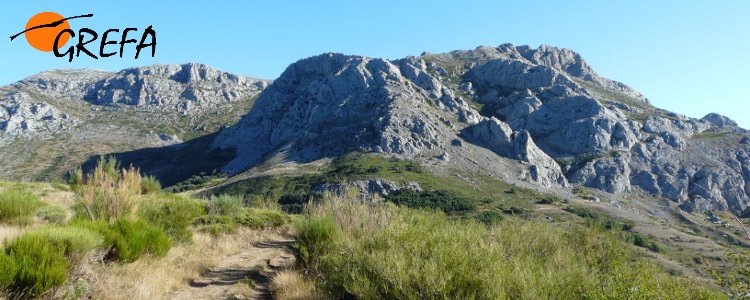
pixel 41 264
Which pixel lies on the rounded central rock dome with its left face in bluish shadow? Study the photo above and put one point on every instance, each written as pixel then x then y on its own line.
pixel 335 103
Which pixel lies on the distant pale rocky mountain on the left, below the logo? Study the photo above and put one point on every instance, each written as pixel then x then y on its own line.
pixel 53 121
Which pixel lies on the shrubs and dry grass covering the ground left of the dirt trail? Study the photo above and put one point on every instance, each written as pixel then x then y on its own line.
pixel 119 218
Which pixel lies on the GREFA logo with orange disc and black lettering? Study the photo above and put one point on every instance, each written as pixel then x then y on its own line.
pixel 50 32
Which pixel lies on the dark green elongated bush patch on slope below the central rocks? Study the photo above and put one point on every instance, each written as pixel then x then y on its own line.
pixel 446 201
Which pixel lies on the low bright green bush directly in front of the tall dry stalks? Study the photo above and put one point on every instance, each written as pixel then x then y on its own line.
pixel 128 241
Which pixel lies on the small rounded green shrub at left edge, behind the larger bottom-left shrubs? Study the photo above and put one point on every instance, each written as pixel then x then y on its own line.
pixel 17 205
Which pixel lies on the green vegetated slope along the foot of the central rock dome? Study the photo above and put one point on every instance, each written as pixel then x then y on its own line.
pixel 474 195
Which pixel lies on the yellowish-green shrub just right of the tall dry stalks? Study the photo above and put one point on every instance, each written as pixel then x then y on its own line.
pixel 173 214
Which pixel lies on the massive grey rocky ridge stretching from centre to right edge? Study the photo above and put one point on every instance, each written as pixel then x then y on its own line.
pixel 536 105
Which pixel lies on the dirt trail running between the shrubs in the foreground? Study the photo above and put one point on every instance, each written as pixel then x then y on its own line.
pixel 245 275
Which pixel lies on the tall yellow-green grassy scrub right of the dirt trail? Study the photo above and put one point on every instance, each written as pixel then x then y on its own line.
pixel 377 252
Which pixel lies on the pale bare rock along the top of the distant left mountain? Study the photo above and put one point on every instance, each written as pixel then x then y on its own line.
pixel 28 107
